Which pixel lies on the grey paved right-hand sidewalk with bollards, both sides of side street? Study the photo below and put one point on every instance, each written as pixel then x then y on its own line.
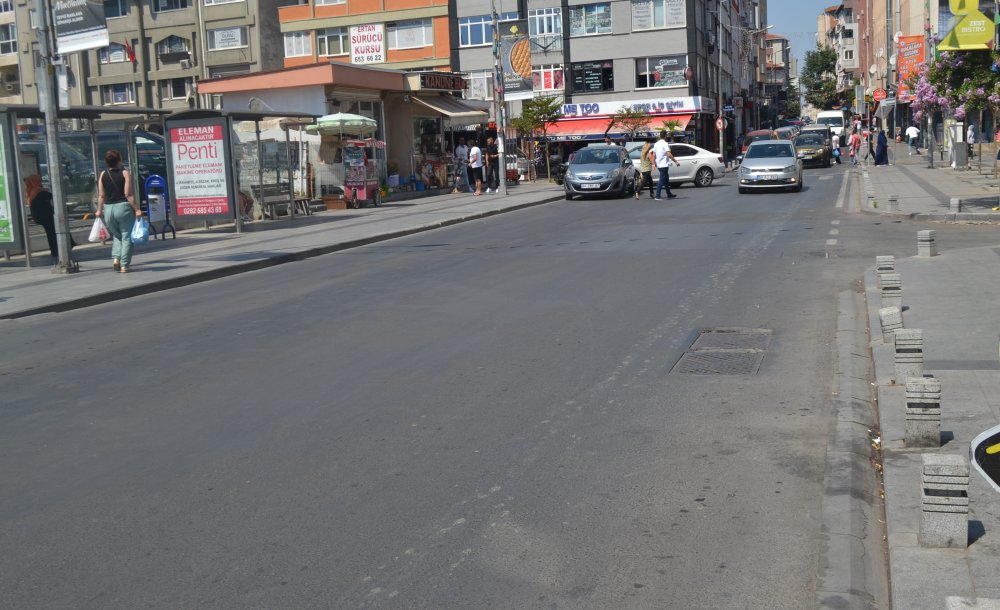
pixel 952 298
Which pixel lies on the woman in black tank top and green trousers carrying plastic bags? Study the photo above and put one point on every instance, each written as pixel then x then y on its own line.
pixel 114 192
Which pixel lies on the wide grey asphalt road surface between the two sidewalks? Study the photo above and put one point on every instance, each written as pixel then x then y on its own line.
pixel 483 416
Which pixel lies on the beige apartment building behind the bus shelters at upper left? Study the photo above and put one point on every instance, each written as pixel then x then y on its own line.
pixel 158 51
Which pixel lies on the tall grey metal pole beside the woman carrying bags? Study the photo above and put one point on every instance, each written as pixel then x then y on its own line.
pixel 48 101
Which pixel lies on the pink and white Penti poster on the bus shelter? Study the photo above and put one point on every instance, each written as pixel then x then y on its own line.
pixel 200 169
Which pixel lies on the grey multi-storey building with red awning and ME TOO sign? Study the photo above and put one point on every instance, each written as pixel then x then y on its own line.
pixel 676 59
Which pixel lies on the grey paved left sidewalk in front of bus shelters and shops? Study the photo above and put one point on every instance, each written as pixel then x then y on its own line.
pixel 204 254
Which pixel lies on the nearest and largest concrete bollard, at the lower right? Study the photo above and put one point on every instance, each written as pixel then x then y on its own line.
pixel 944 515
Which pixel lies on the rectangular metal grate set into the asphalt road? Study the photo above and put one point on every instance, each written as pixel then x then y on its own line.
pixel 725 351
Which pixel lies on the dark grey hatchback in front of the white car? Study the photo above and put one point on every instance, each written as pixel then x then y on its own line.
pixel 599 169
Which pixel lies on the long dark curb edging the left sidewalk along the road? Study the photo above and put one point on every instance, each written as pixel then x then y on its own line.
pixel 236 269
